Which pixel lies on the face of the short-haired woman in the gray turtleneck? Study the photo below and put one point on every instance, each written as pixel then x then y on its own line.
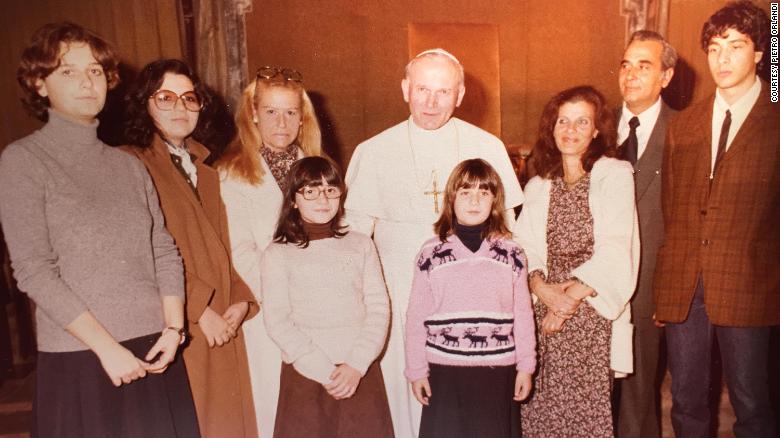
pixel 77 87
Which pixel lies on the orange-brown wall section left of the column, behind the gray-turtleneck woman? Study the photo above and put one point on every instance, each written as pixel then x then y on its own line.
pixel 141 31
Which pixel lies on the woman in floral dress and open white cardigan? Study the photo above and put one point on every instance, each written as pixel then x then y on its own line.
pixel 580 232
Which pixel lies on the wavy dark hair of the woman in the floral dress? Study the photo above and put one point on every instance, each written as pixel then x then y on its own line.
pixel 547 157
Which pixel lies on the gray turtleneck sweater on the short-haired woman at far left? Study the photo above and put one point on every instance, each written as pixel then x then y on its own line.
pixel 85 232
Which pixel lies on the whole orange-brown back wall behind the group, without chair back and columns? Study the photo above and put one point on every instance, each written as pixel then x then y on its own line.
pixel 352 52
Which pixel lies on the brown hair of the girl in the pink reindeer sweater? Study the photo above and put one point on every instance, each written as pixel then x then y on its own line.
pixel 468 174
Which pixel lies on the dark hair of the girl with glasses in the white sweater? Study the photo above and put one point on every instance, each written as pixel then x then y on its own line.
pixel 308 171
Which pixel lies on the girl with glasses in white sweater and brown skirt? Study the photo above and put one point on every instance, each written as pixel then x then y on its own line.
pixel 327 309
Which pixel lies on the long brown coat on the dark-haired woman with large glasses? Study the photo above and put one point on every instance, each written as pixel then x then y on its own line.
pixel 219 376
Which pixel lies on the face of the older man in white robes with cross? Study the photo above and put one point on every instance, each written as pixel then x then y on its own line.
pixel 433 90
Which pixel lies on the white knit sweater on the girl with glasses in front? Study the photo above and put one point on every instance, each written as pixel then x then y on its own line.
pixel 325 304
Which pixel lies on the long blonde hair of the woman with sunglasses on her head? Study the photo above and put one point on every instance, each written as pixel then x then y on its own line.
pixel 241 159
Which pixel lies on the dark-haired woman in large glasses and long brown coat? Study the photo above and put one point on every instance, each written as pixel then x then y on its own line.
pixel 168 108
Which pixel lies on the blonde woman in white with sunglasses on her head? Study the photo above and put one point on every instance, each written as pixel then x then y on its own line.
pixel 276 126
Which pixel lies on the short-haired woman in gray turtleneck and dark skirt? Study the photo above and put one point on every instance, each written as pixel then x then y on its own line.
pixel 88 245
